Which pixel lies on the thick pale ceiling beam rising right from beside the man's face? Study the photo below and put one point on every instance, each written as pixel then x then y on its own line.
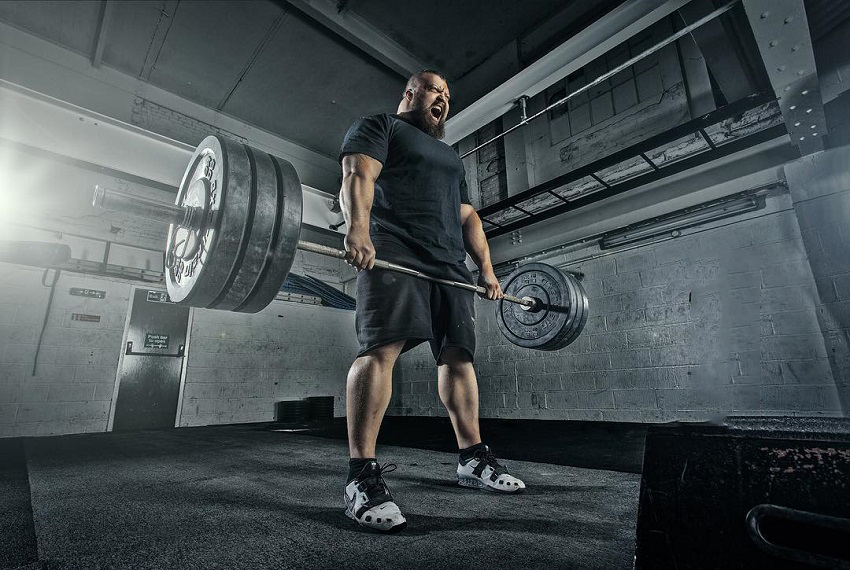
pixel 622 23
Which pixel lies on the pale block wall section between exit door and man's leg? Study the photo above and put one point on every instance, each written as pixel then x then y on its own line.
pixel 239 365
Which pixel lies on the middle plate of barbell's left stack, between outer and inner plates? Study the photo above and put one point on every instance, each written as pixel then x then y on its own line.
pixel 262 227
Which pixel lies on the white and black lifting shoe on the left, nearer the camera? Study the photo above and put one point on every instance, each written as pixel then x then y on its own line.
pixel 369 502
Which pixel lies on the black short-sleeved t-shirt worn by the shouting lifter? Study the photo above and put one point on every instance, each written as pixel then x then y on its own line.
pixel 415 218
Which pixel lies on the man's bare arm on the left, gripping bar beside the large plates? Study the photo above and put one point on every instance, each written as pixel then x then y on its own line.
pixel 359 173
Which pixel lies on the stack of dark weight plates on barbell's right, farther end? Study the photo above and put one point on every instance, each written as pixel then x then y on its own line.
pixel 562 316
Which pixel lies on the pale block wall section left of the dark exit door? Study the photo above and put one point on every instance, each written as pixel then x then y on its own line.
pixel 71 390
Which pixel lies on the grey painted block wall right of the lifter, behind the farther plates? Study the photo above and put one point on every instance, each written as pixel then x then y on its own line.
pixel 718 321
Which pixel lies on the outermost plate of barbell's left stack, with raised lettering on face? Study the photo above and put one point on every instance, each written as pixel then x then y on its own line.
pixel 221 167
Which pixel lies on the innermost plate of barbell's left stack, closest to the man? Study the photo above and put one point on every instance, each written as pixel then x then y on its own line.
pixel 281 254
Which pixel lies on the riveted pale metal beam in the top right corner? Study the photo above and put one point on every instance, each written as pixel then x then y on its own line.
pixel 782 34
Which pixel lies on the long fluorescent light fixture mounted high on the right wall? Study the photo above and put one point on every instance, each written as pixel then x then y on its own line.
pixel 677 221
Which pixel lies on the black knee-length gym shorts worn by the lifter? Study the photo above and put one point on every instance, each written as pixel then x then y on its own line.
pixel 393 306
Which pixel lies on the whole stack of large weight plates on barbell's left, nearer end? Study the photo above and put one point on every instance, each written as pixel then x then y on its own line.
pixel 240 252
